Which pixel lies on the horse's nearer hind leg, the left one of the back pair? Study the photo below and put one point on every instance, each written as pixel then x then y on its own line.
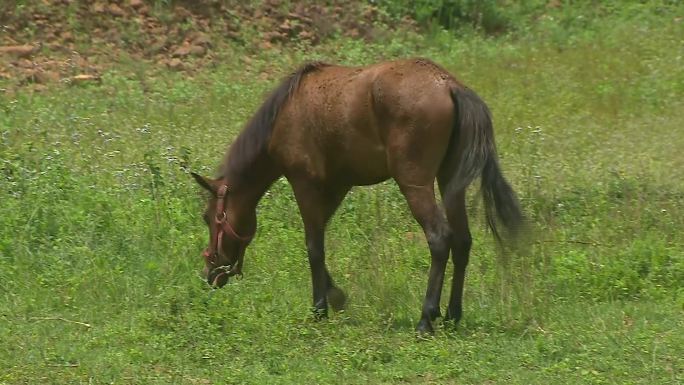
pixel 421 200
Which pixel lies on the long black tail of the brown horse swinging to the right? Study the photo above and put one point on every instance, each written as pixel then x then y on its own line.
pixel 473 139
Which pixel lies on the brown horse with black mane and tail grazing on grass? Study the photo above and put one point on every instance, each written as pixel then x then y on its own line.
pixel 327 128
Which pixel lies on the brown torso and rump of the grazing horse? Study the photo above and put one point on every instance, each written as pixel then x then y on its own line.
pixel 358 124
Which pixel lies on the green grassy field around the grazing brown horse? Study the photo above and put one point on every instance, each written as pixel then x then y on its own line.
pixel 101 229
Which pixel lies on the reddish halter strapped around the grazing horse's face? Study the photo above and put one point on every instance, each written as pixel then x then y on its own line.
pixel 215 250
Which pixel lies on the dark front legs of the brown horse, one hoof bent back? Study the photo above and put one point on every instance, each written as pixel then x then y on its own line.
pixel 317 204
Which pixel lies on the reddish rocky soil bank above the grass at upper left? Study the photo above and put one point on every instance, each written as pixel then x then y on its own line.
pixel 76 40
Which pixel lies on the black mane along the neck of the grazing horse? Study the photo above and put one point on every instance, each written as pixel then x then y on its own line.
pixel 254 138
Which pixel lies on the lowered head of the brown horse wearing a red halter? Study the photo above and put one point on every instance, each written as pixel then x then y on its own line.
pixel 224 255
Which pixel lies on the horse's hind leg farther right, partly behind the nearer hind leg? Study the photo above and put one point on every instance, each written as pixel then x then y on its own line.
pixel 460 247
